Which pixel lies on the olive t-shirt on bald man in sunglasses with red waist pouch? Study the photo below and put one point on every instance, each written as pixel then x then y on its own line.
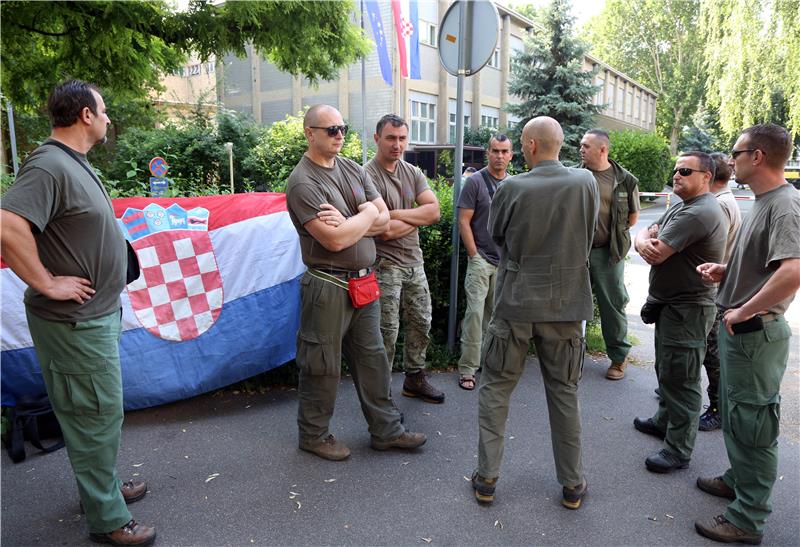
pixel 346 185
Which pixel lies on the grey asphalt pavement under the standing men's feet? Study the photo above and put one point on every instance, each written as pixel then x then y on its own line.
pixel 224 469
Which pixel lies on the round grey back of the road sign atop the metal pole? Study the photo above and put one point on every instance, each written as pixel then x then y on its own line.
pixel 481 33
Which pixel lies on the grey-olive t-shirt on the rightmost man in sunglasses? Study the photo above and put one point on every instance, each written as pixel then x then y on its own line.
pixel 770 233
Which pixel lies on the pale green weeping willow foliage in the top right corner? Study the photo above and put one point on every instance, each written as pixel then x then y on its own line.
pixel 752 54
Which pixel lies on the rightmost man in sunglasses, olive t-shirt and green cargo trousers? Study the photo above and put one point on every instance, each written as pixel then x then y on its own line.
pixel 757 285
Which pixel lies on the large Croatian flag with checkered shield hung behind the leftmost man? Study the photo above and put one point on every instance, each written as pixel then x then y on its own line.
pixel 218 300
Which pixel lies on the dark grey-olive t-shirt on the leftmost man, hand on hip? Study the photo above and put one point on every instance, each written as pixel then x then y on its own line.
pixel 75 230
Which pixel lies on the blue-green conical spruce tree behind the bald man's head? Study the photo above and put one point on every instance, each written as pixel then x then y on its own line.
pixel 549 80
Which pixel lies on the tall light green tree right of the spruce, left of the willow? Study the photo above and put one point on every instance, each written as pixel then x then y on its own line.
pixel 658 43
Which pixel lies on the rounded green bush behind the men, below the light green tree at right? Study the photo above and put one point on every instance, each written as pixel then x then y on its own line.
pixel 646 155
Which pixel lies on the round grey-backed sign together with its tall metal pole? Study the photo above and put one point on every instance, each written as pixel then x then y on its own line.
pixel 467 39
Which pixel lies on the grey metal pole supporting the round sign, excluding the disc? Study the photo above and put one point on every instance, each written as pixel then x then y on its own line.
pixel 465 13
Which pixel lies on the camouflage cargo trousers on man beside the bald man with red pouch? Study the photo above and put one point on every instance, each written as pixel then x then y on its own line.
pixel 405 289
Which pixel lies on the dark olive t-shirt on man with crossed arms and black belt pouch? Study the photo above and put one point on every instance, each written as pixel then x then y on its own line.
pixel 696 229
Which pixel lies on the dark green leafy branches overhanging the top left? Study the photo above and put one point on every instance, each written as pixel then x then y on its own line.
pixel 126 47
